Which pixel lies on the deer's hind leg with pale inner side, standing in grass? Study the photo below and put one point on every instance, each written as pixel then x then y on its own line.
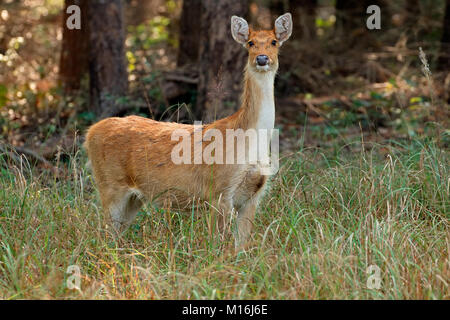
pixel 122 206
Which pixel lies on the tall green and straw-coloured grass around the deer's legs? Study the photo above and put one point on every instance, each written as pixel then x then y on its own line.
pixel 326 219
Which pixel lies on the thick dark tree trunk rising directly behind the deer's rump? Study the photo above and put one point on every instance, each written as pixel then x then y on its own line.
pixel 107 63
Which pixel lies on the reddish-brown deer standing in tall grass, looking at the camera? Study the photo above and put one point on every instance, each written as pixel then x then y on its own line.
pixel 131 157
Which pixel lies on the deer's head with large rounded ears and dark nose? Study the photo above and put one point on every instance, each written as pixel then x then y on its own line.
pixel 262 45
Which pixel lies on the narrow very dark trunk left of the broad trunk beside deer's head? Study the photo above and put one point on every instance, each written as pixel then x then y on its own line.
pixel 189 32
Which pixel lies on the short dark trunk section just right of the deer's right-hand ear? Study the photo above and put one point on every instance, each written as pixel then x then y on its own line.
pixel 304 18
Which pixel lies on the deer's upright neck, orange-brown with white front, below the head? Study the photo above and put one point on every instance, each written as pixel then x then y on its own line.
pixel 258 106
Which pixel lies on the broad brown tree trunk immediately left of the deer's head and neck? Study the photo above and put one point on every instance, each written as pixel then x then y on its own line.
pixel 222 60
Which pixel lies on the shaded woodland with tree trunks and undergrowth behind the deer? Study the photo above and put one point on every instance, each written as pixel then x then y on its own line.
pixel 175 60
